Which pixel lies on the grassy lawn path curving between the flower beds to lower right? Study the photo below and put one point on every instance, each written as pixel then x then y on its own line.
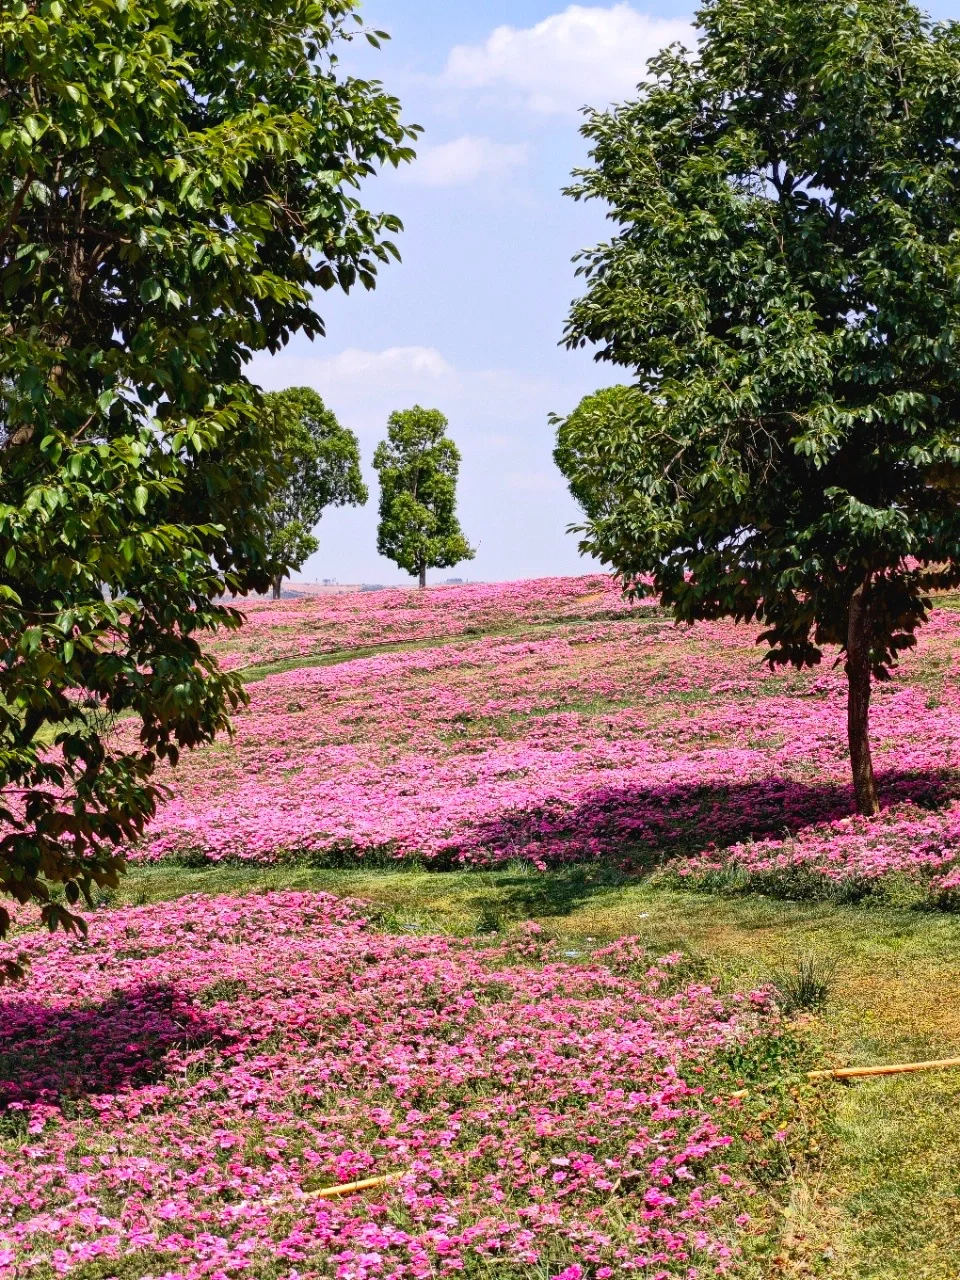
pixel 879 1197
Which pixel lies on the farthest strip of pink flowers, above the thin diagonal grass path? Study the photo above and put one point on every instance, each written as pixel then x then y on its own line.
pixel 285 630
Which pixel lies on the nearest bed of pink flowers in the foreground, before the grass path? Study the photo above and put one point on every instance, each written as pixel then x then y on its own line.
pixel 176 1090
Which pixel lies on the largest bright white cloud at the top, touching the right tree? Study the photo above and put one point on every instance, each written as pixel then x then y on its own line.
pixel 582 57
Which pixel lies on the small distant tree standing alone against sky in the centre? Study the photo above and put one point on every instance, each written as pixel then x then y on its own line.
pixel 419 465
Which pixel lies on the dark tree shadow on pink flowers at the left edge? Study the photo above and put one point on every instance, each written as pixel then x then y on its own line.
pixel 54 1053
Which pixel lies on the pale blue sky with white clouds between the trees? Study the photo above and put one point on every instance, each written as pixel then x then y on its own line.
pixel 470 322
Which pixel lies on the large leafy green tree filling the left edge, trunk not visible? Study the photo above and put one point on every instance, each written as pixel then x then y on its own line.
pixel 177 179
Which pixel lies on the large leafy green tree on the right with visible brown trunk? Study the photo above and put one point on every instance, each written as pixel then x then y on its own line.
pixel 784 284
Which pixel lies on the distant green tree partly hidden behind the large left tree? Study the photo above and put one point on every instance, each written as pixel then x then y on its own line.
pixel 321 468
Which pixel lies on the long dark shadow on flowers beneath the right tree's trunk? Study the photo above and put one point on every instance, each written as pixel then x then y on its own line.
pixel 632 830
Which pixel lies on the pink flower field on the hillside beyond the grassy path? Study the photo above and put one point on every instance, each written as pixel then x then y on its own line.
pixel 580 739
